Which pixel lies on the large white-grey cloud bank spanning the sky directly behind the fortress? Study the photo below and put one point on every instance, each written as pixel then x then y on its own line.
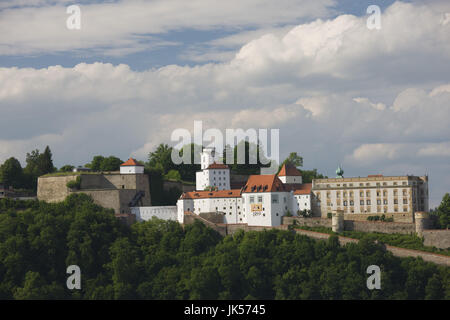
pixel 338 91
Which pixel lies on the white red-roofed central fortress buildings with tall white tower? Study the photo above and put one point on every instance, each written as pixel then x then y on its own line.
pixel 263 201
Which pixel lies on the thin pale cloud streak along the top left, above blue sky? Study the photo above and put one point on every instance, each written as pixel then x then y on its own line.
pixel 126 26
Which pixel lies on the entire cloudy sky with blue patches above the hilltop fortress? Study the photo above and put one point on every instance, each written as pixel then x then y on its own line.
pixel 375 101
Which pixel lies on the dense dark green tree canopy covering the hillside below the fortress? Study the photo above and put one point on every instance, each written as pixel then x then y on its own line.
pixel 161 260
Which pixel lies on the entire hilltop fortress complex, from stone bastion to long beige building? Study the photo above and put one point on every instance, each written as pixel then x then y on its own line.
pixel 261 201
